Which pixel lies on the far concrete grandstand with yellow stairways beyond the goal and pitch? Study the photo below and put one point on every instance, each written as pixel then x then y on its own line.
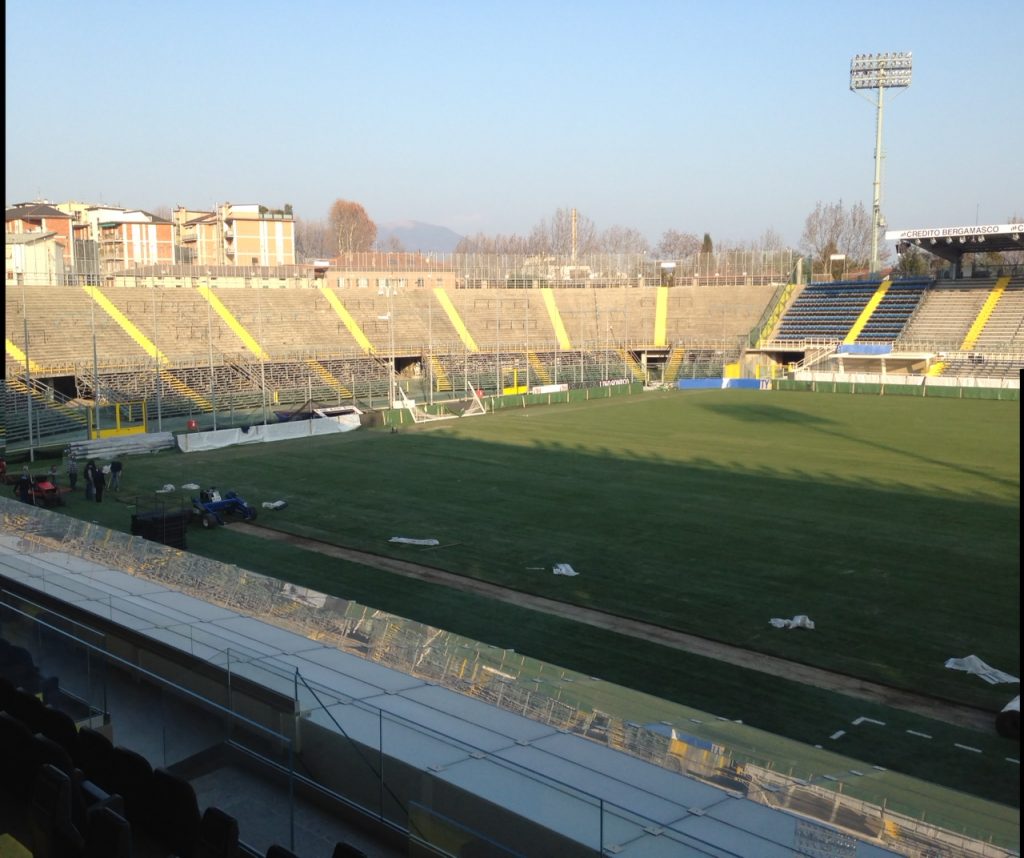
pixel 223 345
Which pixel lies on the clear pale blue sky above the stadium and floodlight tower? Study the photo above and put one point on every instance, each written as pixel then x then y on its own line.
pixel 729 118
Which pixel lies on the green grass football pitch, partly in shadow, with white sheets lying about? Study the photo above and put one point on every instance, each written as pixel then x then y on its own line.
pixel 893 523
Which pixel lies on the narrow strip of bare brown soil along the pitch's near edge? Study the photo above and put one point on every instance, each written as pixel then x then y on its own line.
pixel 956 714
